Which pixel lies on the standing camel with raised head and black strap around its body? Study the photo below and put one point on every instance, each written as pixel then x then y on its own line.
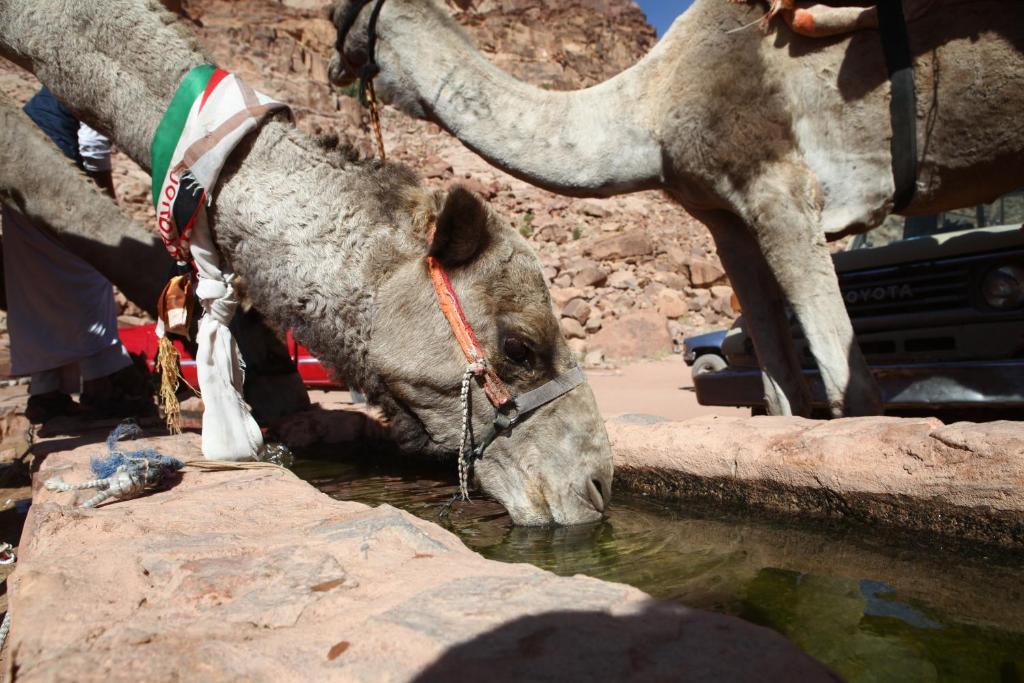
pixel 774 141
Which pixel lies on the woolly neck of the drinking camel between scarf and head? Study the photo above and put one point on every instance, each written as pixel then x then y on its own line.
pixel 308 231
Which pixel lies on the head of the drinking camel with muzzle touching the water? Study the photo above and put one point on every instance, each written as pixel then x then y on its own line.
pixel 554 466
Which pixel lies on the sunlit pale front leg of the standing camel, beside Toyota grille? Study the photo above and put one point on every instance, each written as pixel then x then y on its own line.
pixel 786 220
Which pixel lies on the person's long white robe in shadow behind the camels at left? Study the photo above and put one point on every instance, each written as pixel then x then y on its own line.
pixel 61 312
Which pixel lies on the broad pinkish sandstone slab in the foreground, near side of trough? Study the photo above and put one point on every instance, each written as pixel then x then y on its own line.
pixel 253 575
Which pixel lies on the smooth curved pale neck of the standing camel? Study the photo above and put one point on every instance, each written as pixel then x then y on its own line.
pixel 586 143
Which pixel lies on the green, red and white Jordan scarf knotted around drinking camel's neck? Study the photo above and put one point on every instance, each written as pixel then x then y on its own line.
pixel 210 114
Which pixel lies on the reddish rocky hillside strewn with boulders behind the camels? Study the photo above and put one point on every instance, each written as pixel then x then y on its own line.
pixel 630 276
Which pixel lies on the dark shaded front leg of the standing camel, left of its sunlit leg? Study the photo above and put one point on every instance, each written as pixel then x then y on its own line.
pixel 764 314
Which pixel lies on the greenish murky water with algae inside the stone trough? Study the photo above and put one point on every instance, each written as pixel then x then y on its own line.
pixel 871 612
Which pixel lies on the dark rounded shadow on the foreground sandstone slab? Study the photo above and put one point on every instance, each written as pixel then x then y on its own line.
pixel 661 644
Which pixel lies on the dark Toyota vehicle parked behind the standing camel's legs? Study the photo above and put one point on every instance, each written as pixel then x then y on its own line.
pixel 937 306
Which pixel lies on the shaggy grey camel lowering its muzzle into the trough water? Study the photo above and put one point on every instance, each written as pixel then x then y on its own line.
pixel 336 250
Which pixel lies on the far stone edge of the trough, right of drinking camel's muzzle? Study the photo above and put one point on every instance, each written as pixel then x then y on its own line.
pixel 963 481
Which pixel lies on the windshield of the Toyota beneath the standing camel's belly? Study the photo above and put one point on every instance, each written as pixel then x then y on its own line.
pixel 1008 210
